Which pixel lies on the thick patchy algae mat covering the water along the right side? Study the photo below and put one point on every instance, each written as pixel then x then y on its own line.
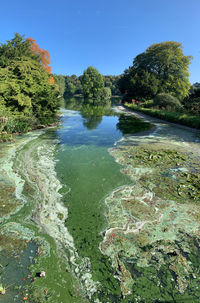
pixel 154 229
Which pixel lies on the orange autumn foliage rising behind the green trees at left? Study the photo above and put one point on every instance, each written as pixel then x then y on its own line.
pixel 43 57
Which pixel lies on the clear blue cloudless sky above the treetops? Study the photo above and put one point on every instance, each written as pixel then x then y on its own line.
pixel 106 34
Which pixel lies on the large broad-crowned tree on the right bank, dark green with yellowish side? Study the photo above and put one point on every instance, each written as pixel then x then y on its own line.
pixel 162 68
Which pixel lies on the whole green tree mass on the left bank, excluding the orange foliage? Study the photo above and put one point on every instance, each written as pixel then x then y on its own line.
pixel 27 96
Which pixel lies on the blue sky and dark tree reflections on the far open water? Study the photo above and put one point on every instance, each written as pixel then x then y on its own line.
pixel 104 125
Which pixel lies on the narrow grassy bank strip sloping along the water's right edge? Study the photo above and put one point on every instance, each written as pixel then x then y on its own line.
pixel 176 117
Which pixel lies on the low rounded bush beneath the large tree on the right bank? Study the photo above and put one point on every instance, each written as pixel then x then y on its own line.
pixel 167 101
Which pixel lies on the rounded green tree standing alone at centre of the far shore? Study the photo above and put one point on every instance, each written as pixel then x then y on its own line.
pixel 92 84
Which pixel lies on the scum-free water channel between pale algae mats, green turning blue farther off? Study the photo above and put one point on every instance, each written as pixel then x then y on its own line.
pixel 83 165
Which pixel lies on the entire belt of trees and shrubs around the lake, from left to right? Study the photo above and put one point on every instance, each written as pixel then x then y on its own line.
pixel 30 94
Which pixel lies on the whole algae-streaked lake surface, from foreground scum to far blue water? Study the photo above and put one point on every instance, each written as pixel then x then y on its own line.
pixel 107 205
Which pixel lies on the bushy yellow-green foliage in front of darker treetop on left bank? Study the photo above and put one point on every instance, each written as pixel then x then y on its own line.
pixel 26 88
